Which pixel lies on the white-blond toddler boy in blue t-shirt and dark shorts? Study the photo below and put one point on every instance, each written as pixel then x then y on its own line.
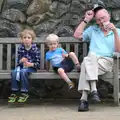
pixel 60 60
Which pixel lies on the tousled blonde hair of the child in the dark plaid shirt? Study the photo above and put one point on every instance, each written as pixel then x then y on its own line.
pixel 28 31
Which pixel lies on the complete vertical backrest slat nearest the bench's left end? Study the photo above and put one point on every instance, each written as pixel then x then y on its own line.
pixel 8 56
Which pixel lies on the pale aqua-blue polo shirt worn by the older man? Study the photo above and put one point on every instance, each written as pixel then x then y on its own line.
pixel 100 44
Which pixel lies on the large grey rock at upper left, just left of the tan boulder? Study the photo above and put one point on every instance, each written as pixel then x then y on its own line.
pixel 14 15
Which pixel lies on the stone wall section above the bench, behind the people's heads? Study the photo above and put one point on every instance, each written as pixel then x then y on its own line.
pixel 48 16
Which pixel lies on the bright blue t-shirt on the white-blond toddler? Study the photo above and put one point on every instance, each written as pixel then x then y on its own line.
pixel 55 57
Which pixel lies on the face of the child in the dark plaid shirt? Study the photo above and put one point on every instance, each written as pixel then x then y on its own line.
pixel 27 39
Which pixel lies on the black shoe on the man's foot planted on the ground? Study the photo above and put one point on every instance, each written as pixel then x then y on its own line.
pixel 83 106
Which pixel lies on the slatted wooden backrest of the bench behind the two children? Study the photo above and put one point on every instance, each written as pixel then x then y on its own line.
pixel 9 46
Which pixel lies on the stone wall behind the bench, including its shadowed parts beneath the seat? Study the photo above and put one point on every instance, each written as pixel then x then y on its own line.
pixel 48 16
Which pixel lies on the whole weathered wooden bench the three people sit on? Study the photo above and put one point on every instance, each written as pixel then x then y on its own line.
pixel 9 46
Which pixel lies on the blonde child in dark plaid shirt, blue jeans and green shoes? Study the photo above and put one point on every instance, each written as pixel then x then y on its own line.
pixel 28 60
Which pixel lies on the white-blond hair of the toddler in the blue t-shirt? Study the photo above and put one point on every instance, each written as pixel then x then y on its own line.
pixel 52 38
